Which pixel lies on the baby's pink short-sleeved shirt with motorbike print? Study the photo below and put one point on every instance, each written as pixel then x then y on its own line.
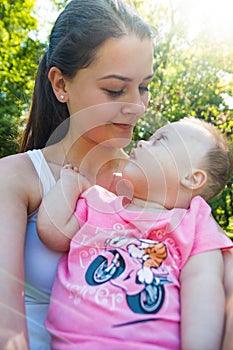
pixel 118 287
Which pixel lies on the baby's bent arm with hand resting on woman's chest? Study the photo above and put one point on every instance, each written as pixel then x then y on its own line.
pixel 56 222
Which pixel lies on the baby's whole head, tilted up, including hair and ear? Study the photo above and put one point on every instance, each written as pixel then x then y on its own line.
pixel 180 160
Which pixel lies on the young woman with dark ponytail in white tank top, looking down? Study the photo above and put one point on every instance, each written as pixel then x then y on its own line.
pixel 100 53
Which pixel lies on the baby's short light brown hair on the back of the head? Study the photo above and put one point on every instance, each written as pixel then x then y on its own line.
pixel 218 160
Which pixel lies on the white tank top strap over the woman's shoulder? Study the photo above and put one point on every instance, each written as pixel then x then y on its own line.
pixel 41 166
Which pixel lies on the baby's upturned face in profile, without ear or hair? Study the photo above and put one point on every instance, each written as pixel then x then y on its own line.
pixel 156 166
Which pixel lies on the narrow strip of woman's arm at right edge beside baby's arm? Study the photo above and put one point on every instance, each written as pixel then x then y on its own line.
pixel 228 283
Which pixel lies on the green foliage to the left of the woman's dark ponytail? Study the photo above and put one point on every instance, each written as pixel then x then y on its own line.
pixel 19 57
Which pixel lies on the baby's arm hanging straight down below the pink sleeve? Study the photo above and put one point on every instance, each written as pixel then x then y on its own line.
pixel 202 302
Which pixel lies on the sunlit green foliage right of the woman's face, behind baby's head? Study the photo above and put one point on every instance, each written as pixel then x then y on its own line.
pixel 192 77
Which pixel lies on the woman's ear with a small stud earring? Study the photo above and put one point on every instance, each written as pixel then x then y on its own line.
pixel 58 84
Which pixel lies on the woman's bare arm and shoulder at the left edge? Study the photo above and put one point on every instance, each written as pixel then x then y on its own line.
pixel 14 206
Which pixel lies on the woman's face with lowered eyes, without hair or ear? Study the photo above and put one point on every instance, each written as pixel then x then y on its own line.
pixel 107 98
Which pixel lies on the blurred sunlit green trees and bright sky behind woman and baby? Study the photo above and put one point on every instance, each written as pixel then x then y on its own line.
pixel 193 65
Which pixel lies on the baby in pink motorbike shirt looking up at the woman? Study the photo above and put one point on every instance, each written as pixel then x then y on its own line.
pixel 143 272
